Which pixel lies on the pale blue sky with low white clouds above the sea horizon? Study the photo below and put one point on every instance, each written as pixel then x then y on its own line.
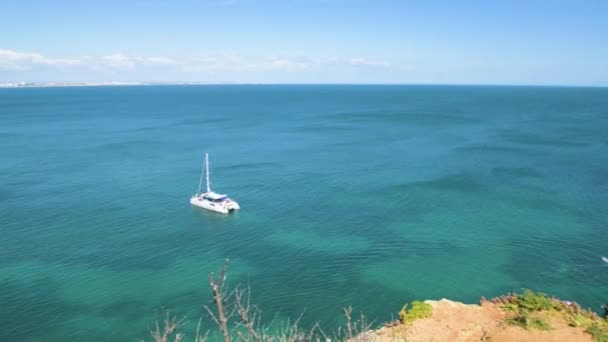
pixel 531 42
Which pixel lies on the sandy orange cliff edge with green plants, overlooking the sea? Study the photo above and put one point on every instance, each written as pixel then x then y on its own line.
pixel 489 321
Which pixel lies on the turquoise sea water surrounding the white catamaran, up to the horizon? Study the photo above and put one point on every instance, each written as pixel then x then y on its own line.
pixel 351 195
